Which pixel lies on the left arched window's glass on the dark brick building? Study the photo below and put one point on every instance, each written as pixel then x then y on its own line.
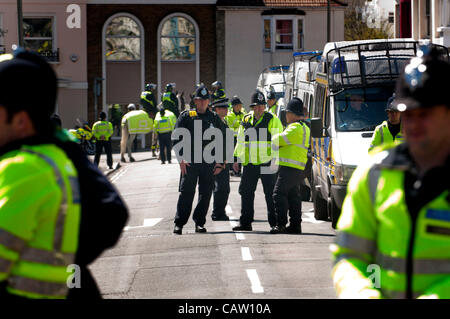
pixel 123 40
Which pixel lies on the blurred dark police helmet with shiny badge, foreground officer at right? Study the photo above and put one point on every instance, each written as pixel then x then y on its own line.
pixel 424 82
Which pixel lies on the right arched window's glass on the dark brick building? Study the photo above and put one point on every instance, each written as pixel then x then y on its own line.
pixel 178 40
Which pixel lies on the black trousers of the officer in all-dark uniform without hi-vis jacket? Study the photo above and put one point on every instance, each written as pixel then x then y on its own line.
pixel 203 174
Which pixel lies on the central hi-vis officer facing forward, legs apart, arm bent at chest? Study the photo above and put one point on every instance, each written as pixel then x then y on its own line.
pixel 254 151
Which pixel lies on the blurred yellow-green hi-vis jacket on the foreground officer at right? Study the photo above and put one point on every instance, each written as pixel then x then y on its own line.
pixel 374 230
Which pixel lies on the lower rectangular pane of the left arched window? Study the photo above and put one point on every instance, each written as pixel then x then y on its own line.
pixel 123 49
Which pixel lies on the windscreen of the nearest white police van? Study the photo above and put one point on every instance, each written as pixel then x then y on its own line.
pixel 361 109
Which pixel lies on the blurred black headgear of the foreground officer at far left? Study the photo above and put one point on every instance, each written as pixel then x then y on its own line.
pixel 28 82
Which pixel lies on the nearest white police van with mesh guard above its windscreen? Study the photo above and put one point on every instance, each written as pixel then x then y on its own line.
pixel 352 84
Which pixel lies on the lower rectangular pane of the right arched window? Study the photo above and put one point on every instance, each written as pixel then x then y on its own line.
pixel 178 49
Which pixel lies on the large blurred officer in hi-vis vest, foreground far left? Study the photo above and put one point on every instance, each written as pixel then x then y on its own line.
pixel 40 209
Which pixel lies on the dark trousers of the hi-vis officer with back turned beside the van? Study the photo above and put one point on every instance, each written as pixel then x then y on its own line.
pixel 287 197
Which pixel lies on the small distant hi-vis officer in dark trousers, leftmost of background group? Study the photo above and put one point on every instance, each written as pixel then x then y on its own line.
pixel 102 131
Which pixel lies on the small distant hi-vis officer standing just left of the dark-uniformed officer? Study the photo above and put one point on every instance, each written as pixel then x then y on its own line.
pixel 164 125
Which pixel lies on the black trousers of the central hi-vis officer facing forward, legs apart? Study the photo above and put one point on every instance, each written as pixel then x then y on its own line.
pixel 249 181
